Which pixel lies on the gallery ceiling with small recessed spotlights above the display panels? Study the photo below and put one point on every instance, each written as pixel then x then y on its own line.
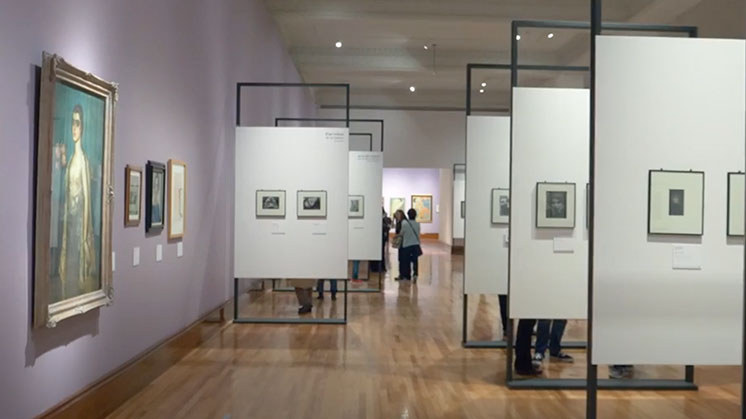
pixel 383 54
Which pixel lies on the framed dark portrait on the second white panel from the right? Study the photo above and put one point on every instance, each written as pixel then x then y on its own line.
pixel 555 205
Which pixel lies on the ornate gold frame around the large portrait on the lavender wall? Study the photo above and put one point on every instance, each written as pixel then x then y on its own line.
pixel 55 68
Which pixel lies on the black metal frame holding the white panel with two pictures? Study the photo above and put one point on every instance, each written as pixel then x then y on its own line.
pixel 346 120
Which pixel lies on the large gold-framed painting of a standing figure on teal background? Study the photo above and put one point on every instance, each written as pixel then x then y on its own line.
pixel 72 265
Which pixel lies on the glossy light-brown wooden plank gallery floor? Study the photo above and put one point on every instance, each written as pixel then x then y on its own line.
pixel 399 356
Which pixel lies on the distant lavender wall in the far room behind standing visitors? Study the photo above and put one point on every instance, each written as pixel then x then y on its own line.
pixel 403 183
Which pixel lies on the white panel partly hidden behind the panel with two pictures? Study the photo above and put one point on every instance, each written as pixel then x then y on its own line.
pixel 366 179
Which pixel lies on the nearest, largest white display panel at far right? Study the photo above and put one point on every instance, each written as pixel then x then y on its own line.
pixel 672 104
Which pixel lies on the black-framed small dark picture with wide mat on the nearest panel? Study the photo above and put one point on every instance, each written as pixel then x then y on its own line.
pixel 676 202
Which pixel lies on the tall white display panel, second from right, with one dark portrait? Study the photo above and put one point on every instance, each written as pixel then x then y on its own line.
pixel 548 266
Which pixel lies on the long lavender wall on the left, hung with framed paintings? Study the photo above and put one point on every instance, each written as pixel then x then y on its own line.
pixel 177 62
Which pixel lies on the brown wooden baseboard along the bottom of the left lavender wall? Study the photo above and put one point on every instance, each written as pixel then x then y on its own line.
pixel 106 395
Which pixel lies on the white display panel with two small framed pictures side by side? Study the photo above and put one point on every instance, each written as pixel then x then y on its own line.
pixel 291 159
